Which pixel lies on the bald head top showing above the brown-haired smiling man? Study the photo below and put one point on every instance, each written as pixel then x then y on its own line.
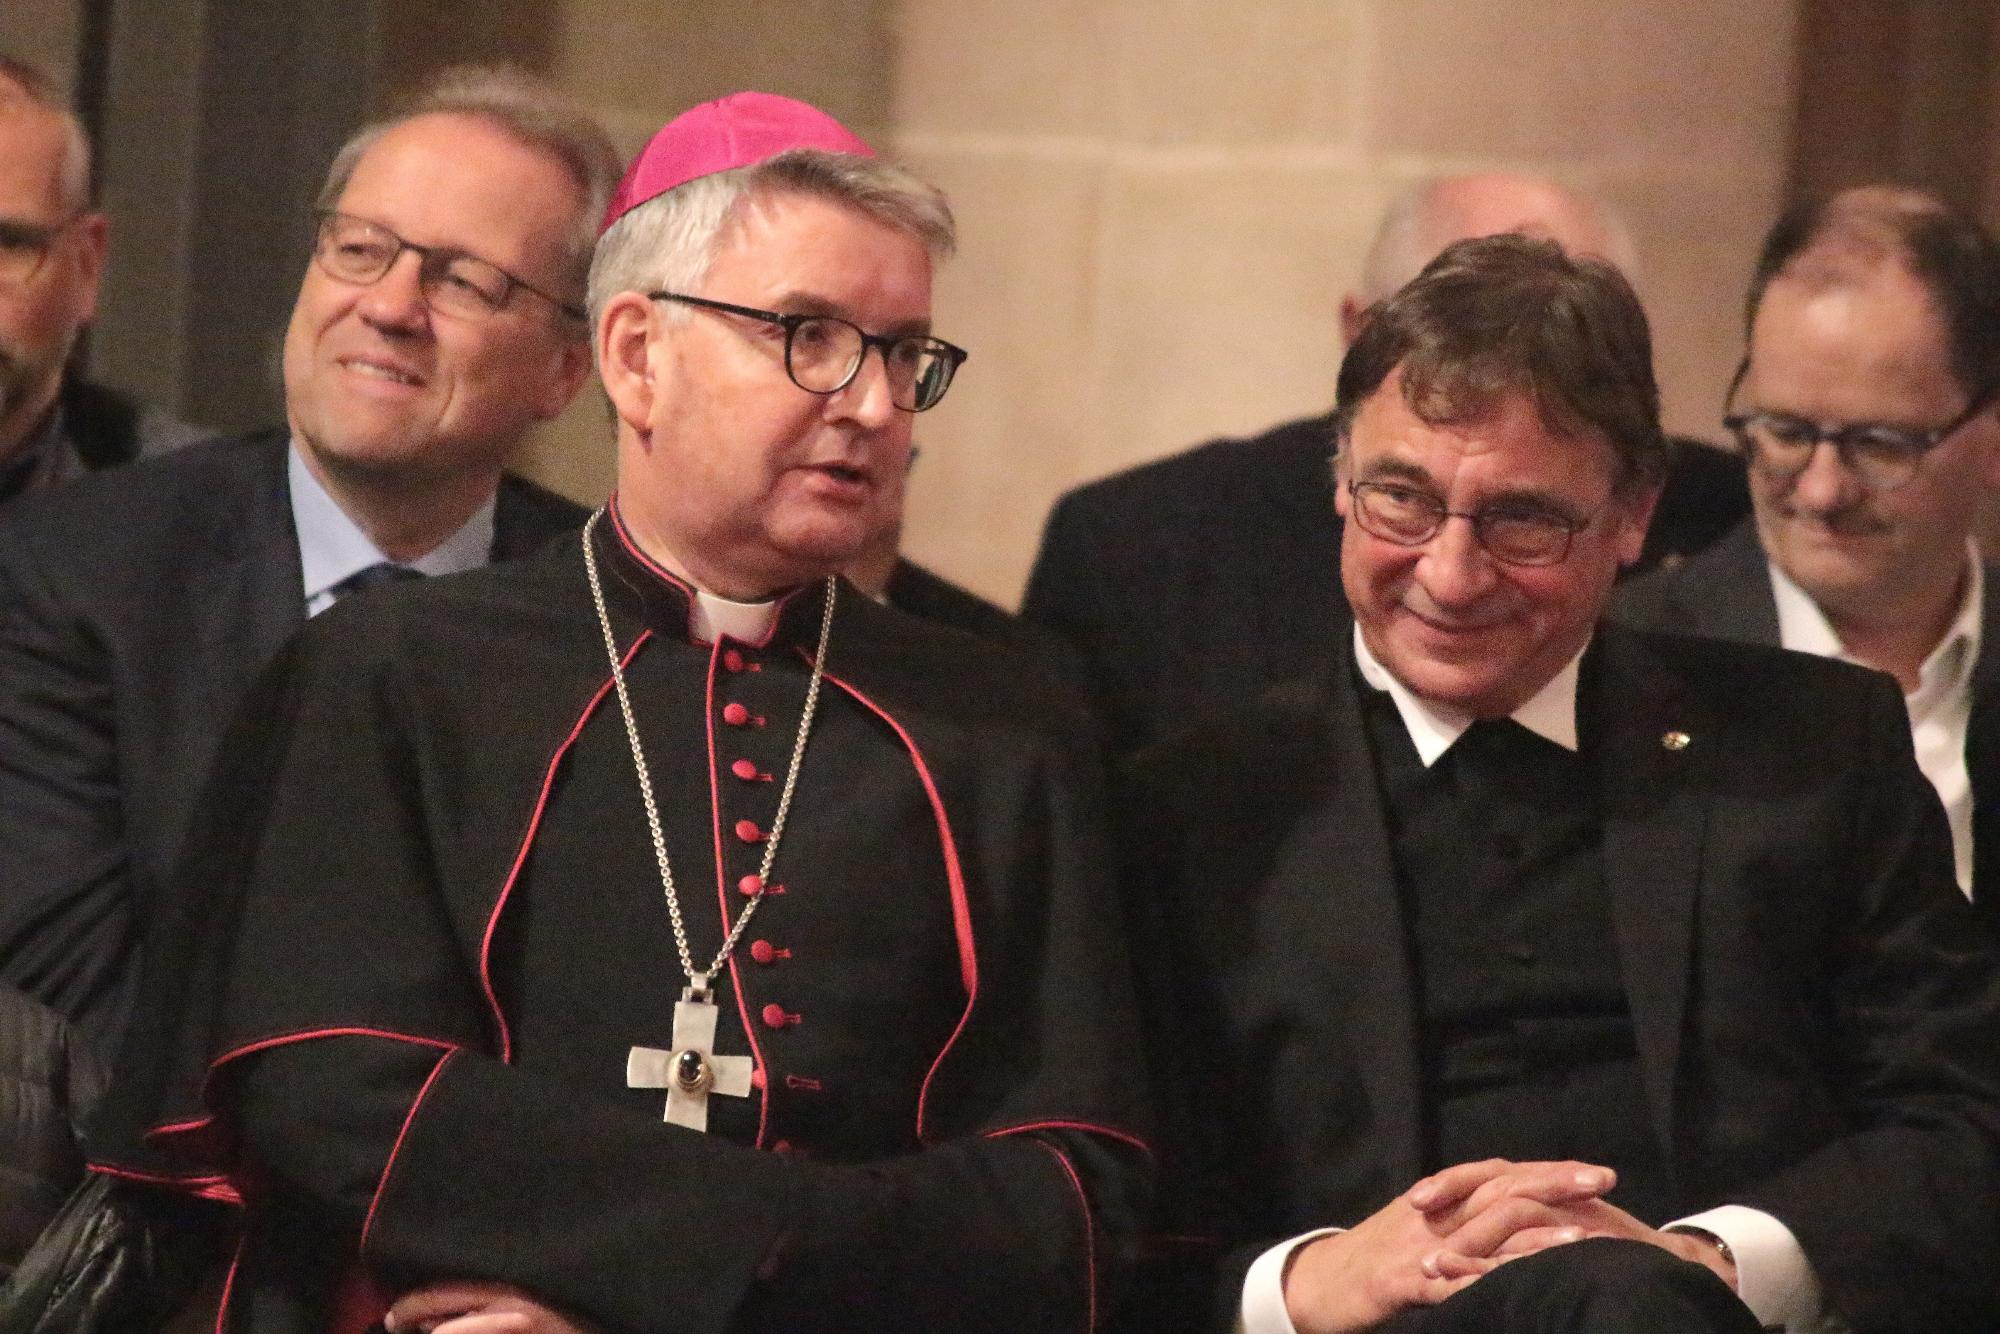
pixel 1437 213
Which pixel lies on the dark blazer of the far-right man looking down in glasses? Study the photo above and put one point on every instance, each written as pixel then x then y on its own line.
pixel 1725 595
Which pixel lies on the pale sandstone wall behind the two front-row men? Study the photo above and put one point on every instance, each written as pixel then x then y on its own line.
pixel 1163 203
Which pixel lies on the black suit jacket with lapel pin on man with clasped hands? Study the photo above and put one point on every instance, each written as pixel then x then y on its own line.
pixel 1815 1019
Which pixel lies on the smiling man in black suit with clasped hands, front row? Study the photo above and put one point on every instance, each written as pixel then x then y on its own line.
pixel 1587 979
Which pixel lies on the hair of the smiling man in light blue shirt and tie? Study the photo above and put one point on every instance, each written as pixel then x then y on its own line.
pixel 523 107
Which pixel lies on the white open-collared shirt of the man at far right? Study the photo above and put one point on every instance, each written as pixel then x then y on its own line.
pixel 1941 707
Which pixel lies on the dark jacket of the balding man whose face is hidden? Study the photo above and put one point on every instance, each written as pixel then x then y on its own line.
pixel 1193 583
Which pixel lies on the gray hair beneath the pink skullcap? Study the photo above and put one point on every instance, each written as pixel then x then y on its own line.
pixel 673 239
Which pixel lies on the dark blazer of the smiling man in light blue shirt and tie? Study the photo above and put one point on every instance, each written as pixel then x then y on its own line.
pixel 135 609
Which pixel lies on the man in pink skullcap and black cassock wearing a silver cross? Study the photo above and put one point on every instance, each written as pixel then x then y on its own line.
pixel 709 947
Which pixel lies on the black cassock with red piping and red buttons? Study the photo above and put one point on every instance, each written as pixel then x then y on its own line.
pixel 423 927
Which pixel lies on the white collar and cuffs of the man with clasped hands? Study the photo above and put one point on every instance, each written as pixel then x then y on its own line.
pixel 1773 1275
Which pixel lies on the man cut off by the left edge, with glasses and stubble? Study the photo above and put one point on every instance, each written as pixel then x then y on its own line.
pixel 55 425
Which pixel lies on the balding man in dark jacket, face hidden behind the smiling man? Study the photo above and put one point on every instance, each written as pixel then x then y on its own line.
pixel 1195 581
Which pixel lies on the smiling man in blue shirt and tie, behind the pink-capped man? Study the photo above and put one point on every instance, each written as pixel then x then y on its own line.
pixel 437 323
